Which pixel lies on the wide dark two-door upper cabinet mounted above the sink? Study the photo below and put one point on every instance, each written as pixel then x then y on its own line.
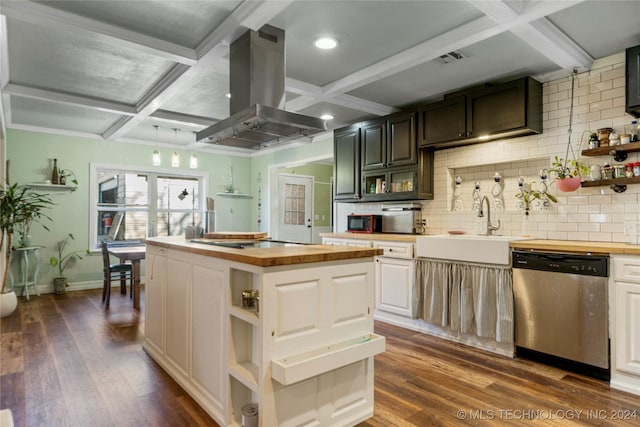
pixel 505 110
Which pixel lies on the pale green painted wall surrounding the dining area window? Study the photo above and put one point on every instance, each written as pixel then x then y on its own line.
pixel 31 154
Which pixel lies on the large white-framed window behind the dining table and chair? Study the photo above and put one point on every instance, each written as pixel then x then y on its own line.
pixel 131 204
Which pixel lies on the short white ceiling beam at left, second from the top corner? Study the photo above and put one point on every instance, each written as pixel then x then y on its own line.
pixel 69 99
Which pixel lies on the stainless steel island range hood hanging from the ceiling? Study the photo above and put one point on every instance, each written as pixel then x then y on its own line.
pixel 257 85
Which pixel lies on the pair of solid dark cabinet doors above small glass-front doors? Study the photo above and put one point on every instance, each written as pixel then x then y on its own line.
pixel 389 142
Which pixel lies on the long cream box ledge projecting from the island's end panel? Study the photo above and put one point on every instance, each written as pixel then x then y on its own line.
pixel 299 367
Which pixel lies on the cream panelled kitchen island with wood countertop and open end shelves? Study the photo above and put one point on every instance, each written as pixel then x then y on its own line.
pixel 287 330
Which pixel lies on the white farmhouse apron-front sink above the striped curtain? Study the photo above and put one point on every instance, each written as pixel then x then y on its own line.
pixel 467 247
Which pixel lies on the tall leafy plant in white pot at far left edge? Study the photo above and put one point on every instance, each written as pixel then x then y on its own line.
pixel 19 208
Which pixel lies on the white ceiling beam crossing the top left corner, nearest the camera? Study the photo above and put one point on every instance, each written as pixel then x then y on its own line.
pixel 36 13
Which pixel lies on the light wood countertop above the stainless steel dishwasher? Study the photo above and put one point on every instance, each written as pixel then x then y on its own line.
pixel 577 246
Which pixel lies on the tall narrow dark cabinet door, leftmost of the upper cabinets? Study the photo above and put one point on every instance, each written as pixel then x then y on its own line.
pixel 346 171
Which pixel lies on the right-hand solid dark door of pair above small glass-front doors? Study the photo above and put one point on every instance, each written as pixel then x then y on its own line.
pixel 401 140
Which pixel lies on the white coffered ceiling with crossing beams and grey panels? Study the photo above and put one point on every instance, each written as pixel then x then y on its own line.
pixel 115 69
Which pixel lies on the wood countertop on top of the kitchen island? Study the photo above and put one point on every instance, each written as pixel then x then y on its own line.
pixel 266 257
